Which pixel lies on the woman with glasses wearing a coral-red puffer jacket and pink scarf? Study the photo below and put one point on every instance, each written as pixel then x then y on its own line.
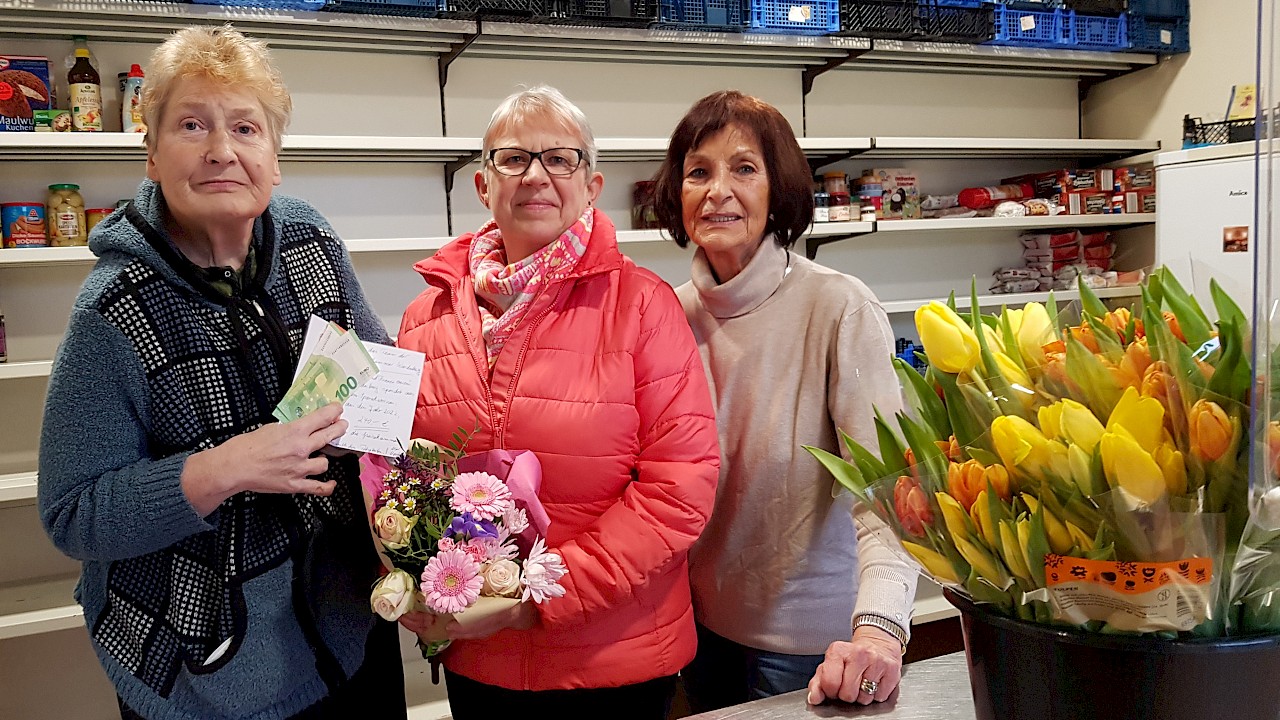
pixel 540 332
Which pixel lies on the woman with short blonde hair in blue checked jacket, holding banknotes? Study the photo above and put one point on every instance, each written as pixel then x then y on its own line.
pixel 226 562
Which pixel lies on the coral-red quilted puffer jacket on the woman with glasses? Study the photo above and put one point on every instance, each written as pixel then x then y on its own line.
pixel 604 381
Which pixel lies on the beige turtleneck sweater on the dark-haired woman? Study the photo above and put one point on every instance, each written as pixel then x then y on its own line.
pixel 793 352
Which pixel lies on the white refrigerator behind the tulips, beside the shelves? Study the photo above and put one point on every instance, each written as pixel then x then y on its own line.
pixel 1205 220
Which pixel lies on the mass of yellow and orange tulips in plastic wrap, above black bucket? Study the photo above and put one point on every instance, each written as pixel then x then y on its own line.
pixel 1086 467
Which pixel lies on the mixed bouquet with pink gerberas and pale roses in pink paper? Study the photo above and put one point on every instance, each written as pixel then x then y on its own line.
pixel 459 535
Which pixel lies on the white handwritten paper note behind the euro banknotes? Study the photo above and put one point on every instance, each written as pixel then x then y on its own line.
pixel 381 412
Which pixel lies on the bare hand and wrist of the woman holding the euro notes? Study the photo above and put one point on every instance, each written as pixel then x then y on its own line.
pixel 277 458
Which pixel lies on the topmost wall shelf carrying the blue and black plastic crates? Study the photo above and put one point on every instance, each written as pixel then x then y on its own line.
pixel 153 21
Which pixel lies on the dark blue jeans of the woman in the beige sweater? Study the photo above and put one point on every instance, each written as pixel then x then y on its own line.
pixel 725 673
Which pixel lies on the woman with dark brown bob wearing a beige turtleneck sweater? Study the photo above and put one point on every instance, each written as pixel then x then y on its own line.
pixel 788 593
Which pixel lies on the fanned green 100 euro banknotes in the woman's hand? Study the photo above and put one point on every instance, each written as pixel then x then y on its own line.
pixel 337 367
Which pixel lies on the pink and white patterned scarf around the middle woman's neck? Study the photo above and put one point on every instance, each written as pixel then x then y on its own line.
pixel 508 291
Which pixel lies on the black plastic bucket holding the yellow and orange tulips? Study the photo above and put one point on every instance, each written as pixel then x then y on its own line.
pixel 1022 671
